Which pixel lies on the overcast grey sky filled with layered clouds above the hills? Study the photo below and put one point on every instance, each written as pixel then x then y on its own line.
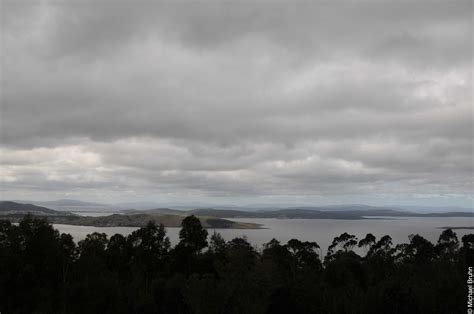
pixel 321 102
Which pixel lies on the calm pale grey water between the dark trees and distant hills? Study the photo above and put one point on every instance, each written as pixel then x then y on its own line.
pixel 323 231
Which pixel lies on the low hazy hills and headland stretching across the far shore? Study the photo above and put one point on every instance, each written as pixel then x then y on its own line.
pixel 209 217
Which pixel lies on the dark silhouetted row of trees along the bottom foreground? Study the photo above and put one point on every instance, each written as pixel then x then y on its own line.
pixel 44 271
